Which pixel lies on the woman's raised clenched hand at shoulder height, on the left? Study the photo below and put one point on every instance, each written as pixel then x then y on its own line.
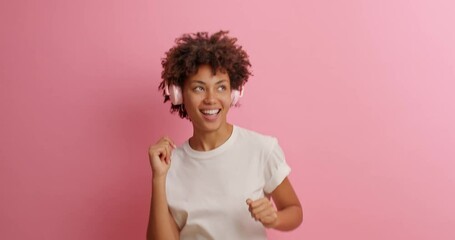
pixel 160 156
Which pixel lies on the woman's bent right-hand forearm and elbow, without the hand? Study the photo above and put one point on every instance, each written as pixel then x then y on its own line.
pixel 289 218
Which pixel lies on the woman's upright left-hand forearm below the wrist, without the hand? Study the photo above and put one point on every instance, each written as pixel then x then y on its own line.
pixel 161 224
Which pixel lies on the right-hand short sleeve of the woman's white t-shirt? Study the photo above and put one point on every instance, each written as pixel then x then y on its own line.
pixel 276 168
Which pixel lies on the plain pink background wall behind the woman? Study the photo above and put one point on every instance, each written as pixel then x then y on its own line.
pixel 359 93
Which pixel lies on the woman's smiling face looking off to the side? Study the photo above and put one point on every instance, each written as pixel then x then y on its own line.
pixel 207 99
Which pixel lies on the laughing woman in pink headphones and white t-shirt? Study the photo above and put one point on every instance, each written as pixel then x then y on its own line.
pixel 219 184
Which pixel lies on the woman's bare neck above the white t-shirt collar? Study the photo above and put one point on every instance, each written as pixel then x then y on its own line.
pixel 206 141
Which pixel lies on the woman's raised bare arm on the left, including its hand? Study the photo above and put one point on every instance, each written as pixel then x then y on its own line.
pixel 161 224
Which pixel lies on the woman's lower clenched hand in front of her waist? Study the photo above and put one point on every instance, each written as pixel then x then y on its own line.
pixel 263 210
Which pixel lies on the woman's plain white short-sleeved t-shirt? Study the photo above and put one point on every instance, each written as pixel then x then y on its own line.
pixel 207 190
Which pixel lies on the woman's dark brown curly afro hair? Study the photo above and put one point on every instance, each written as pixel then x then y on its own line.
pixel 218 50
